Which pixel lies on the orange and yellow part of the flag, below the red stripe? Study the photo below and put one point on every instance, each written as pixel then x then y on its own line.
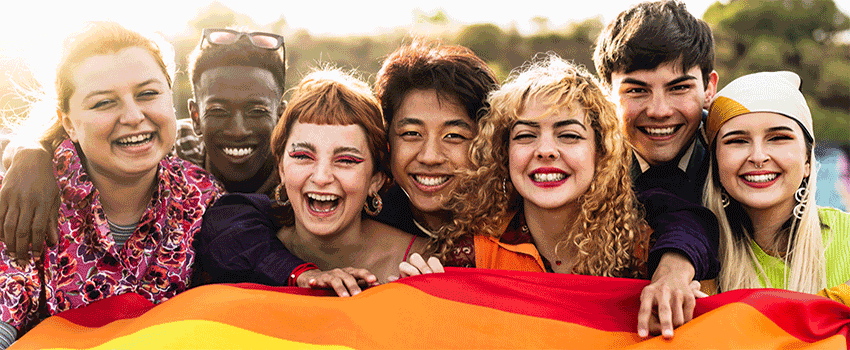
pixel 391 316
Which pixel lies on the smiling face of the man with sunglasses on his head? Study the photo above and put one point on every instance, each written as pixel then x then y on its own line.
pixel 236 110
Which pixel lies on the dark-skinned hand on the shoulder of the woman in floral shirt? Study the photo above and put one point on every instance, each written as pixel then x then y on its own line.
pixel 29 205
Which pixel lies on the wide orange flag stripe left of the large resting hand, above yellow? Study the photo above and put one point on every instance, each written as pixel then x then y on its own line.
pixel 392 316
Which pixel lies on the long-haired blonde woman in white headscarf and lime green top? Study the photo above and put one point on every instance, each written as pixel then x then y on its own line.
pixel 762 186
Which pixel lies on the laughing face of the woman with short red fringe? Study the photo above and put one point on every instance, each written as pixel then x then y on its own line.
pixel 328 172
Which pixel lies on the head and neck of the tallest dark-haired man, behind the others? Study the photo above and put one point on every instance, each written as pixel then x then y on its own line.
pixel 658 62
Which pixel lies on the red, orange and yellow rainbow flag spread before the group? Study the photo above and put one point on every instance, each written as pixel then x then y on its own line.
pixel 462 308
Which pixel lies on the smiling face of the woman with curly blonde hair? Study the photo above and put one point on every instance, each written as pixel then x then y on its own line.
pixel 552 156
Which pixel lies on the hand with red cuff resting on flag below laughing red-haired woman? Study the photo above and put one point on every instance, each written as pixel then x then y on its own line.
pixel 345 281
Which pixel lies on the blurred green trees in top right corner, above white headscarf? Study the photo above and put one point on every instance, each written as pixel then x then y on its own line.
pixel 797 35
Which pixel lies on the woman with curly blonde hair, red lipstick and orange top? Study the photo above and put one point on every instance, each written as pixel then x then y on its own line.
pixel 550 189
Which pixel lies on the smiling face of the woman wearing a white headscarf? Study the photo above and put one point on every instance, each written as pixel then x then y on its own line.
pixel 762 160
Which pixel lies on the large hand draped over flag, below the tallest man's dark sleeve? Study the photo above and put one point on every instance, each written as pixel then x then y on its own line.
pixel 668 302
